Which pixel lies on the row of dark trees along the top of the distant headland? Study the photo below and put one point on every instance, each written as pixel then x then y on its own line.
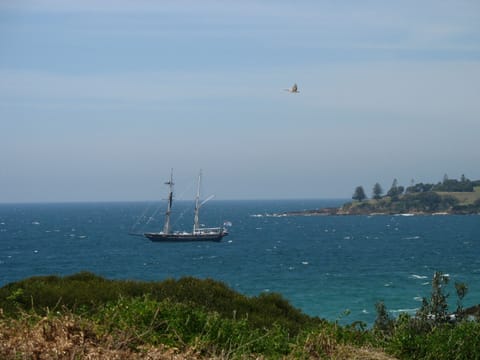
pixel 447 185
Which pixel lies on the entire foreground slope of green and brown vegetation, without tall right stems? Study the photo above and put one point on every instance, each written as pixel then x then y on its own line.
pixel 85 316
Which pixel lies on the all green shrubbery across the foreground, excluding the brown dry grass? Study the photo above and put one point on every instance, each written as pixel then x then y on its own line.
pixel 210 319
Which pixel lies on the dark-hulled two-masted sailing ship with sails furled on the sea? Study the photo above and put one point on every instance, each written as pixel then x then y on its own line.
pixel 198 233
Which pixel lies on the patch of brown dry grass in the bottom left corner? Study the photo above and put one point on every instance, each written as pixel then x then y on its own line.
pixel 70 337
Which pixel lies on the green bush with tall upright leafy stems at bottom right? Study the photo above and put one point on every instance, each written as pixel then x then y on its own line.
pixel 432 333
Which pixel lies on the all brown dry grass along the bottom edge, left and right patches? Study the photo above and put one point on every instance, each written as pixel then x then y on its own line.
pixel 69 337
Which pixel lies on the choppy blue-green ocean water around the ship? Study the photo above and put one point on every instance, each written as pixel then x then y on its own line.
pixel 327 266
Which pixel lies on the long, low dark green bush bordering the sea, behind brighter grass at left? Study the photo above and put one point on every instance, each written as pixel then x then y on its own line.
pixel 85 292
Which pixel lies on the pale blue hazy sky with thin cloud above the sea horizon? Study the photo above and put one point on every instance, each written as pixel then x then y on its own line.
pixel 100 99
